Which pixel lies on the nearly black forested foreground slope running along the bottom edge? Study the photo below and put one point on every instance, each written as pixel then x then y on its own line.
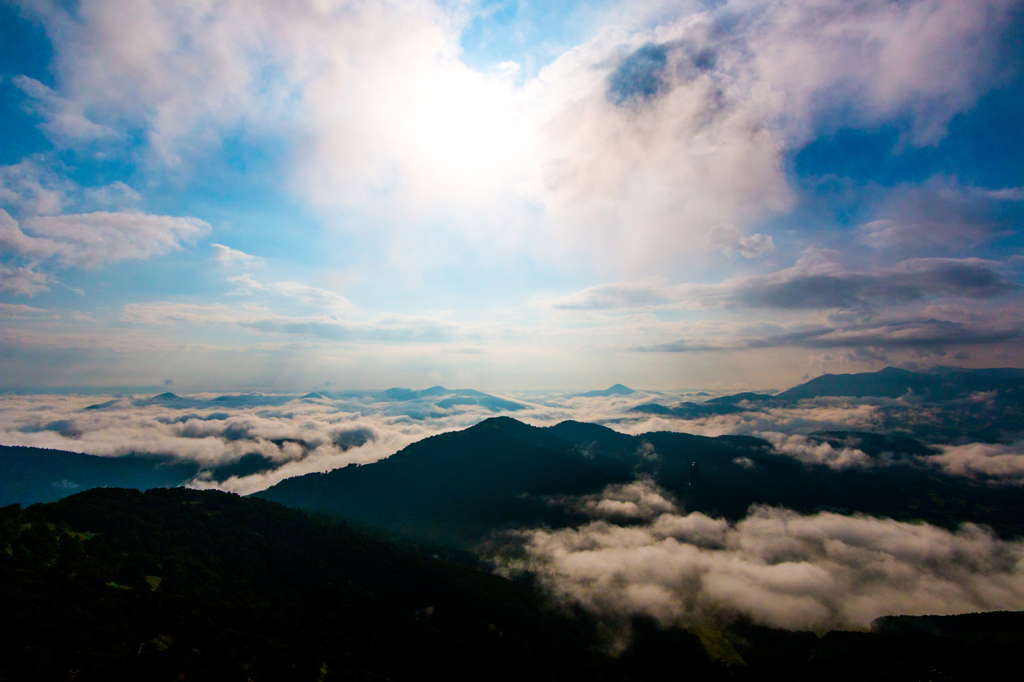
pixel 168 585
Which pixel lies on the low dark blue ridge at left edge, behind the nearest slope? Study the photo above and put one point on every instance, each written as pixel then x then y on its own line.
pixel 34 475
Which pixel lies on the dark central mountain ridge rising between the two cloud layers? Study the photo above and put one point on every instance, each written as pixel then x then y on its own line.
pixel 458 487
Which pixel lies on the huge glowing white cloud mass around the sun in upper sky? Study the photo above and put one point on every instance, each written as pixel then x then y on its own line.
pixel 642 140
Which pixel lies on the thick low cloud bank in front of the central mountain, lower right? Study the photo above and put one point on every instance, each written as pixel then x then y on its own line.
pixel 644 556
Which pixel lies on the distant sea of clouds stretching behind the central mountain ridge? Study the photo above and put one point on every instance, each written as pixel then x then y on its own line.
pixel 294 436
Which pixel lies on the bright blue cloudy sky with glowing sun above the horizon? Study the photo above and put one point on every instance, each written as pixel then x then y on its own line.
pixel 731 194
